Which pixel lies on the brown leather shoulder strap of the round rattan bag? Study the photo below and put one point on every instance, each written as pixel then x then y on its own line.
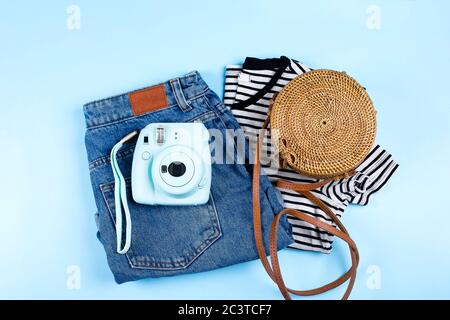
pixel 274 270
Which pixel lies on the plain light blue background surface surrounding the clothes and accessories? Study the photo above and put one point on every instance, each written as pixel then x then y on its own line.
pixel 47 72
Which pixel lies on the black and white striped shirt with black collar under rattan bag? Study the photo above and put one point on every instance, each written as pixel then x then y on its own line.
pixel 245 82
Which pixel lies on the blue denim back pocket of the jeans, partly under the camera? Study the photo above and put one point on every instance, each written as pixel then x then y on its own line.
pixel 166 237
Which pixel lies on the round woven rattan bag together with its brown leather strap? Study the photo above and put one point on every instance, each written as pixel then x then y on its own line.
pixel 324 125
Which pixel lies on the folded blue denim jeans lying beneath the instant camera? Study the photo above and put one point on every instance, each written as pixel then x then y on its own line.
pixel 171 240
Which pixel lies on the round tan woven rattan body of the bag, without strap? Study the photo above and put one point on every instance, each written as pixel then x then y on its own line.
pixel 325 123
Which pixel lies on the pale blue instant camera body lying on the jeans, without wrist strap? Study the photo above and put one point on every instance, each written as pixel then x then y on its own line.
pixel 172 164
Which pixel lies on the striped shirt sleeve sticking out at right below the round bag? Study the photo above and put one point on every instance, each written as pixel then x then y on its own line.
pixel 372 174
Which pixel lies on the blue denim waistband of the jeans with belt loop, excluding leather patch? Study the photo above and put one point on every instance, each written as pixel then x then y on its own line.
pixel 179 91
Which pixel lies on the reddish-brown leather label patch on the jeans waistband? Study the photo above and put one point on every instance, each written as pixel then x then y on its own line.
pixel 147 100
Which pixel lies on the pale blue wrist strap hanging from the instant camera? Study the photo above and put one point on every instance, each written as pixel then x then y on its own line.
pixel 120 197
